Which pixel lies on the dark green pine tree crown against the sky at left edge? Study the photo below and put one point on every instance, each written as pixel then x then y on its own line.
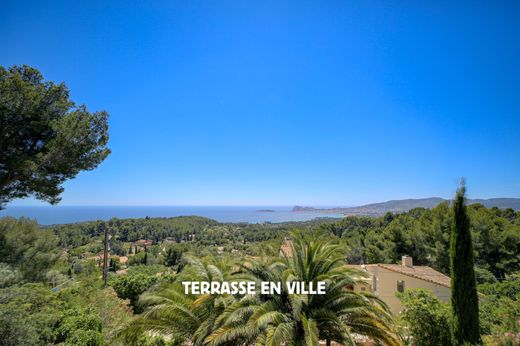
pixel 46 138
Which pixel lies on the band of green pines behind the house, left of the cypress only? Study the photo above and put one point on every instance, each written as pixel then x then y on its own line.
pixel 420 233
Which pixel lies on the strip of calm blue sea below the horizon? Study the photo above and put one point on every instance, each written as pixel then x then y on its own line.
pixel 50 215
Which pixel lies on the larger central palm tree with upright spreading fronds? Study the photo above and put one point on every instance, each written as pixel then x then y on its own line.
pixel 304 319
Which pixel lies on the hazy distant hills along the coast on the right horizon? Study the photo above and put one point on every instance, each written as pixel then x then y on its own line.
pixel 404 205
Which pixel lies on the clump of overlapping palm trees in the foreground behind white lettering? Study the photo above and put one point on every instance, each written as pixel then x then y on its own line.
pixel 268 319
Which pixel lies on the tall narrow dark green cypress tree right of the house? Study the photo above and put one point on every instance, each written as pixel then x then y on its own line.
pixel 464 299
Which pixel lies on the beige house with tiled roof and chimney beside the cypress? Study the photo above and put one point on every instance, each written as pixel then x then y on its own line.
pixel 385 280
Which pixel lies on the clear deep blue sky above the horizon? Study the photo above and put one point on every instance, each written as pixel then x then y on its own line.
pixel 284 102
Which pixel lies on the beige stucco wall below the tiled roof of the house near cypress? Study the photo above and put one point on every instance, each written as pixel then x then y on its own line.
pixel 387 287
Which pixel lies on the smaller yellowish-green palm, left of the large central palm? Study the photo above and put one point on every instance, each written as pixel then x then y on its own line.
pixel 177 316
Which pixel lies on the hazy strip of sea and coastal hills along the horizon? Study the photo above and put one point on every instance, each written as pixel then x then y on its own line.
pixel 49 215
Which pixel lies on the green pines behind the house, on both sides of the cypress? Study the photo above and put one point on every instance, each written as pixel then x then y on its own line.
pixel 425 235
